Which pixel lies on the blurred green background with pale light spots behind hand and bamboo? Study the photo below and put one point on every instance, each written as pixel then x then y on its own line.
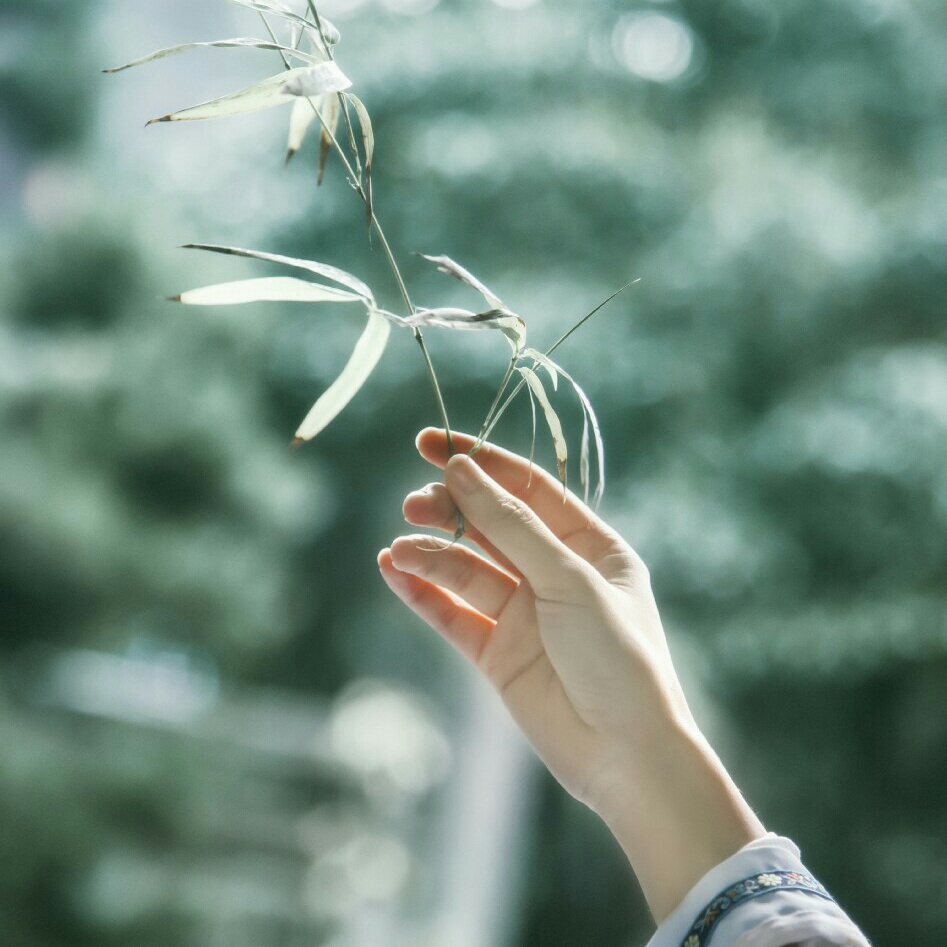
pixel 217 726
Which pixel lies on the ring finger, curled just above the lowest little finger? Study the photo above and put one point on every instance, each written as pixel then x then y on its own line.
pixel 458 569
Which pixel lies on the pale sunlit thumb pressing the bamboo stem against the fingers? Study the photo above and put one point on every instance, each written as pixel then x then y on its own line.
pixel 551 568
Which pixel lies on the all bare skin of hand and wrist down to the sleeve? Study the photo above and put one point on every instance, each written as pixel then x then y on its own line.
pixel 562 621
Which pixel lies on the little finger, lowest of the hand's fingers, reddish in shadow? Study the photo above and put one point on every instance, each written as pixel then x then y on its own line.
pixel 464 627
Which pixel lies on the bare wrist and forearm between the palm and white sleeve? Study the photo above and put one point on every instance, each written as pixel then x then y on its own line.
pixel 676 812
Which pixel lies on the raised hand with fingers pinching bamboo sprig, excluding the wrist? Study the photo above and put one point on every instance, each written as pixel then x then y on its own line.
pixel 567 630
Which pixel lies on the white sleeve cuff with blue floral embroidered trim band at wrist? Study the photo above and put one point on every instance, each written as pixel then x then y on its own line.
pixel 762 896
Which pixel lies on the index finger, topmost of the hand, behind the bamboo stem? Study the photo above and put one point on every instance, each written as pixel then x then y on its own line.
pixel 512 472
